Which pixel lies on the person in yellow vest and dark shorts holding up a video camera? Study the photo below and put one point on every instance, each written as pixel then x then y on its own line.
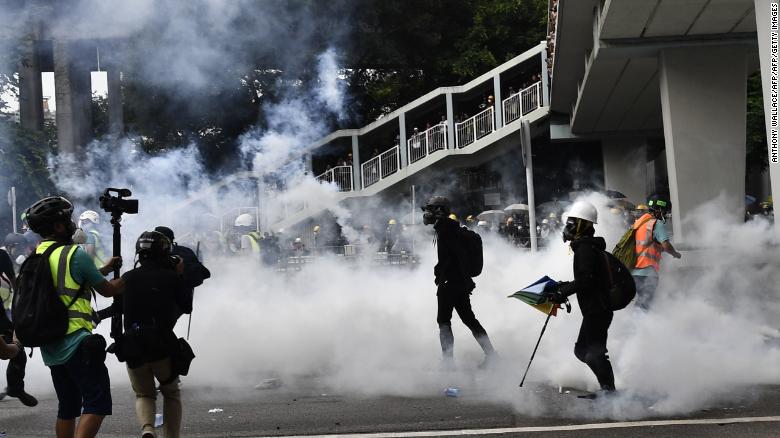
pixel 77 360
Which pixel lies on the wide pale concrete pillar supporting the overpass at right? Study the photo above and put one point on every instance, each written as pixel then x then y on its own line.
pixel 703 101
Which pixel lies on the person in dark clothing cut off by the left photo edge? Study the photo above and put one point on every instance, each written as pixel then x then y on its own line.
pixel 17 365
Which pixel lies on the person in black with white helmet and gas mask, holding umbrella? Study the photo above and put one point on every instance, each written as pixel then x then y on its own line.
pixel 590 284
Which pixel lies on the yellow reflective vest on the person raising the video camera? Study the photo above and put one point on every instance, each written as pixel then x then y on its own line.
pixel 80 313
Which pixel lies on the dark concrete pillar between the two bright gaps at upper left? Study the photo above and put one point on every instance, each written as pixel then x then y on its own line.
pixel 73 90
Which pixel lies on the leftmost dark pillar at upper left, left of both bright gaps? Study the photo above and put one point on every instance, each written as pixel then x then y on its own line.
pixel 30 87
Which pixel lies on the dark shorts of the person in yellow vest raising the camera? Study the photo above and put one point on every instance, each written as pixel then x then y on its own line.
pixel 81 388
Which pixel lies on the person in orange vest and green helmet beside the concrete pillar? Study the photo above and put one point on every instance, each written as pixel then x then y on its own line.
pixel 652 240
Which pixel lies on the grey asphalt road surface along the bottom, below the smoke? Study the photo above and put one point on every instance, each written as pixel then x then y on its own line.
pixel 308 408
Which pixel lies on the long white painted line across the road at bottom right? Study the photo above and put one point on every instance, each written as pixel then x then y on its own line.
pixel 573 427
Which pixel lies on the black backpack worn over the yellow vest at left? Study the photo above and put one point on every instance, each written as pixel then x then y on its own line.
pixel 39 315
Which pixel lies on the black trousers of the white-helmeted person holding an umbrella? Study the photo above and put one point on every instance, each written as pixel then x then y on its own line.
pixel 591 347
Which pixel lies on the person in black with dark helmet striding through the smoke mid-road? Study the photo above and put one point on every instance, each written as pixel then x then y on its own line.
pixel 454 285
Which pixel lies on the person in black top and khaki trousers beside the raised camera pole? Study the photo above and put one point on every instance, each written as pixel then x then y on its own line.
pixel 154 293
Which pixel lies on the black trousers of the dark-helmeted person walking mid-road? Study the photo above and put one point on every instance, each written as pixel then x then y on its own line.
pixel 459 301
